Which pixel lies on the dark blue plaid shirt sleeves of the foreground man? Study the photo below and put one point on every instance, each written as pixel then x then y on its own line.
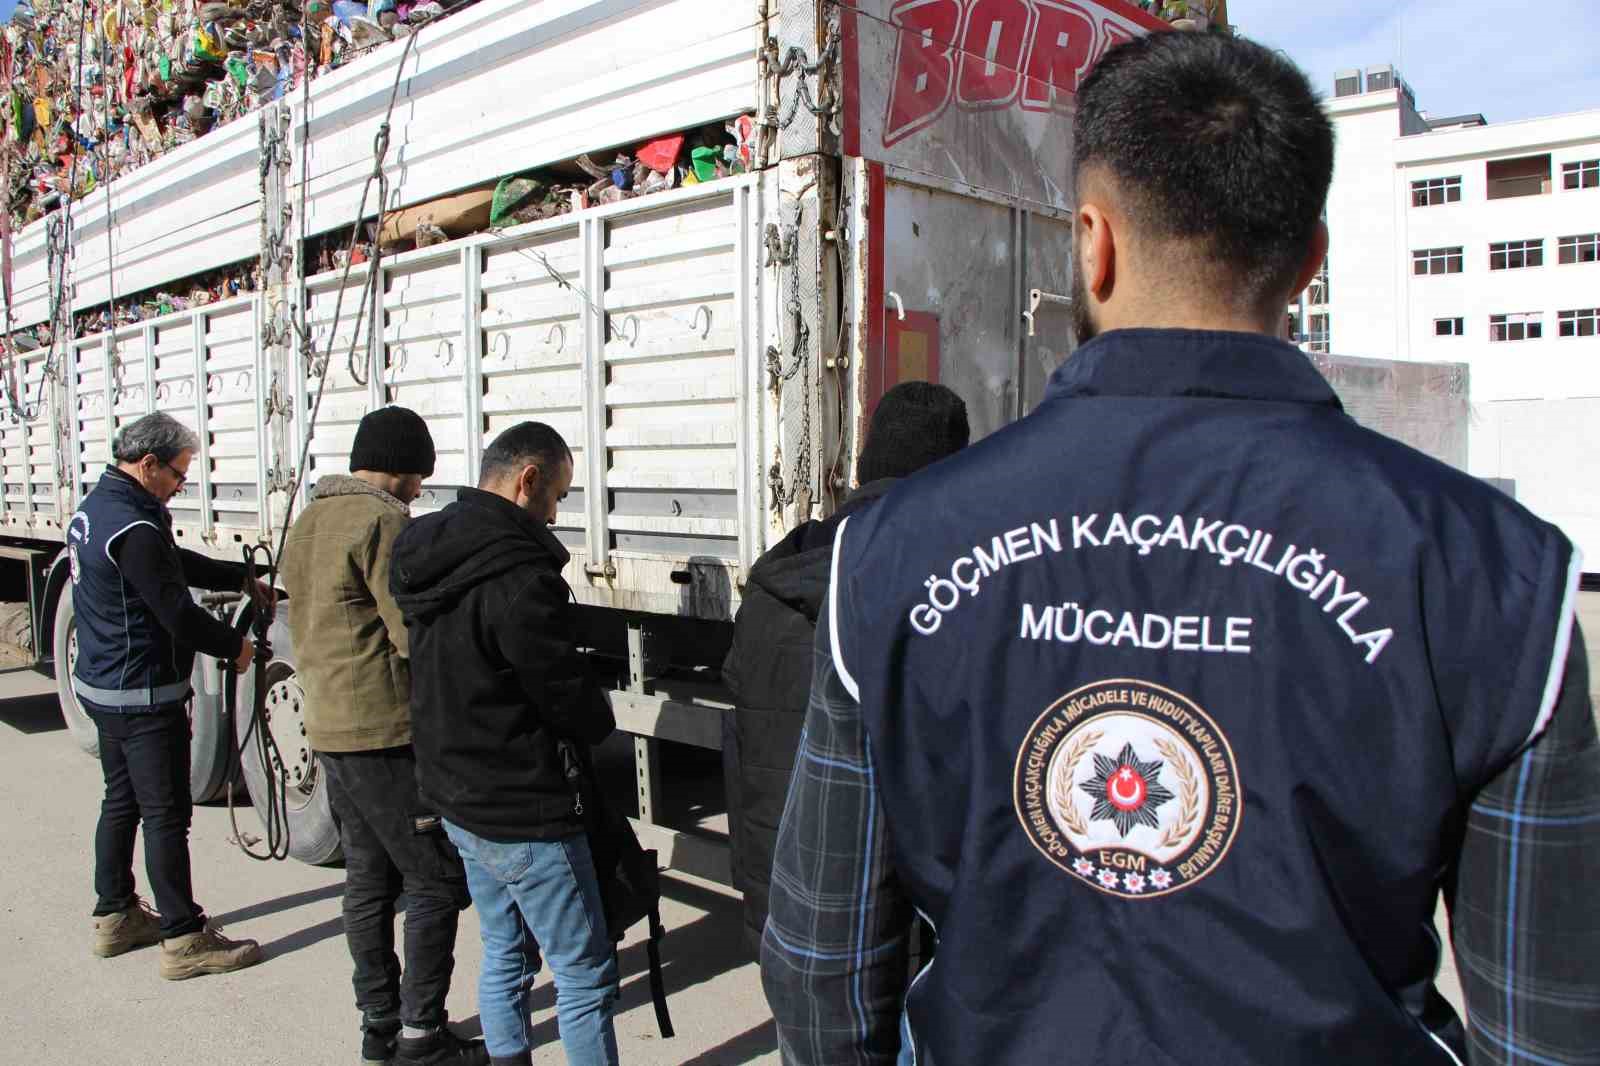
pixel 1524 920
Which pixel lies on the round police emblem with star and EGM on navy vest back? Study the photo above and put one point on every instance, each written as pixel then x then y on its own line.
pixel 1130 788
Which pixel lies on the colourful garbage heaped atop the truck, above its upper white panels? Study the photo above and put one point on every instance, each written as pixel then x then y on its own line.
pixel 95 89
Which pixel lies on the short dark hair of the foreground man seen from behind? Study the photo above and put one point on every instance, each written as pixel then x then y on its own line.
pixel 1212 140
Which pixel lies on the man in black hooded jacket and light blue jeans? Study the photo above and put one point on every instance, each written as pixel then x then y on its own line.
pixel 497 686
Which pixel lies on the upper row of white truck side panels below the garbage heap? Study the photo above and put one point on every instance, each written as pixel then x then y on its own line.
pixel 498 89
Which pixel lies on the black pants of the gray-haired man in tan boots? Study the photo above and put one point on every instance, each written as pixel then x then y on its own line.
pixel 146 763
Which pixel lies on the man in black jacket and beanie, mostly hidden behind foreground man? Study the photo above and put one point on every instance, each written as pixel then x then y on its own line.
pixel 770 663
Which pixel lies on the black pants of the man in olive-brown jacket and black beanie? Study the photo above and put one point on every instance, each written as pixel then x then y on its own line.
pixel 386 854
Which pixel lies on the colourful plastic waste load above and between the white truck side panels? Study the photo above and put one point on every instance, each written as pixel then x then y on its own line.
pixel 156 74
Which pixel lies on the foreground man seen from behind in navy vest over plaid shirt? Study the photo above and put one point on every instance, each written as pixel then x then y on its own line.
pixel 1175 707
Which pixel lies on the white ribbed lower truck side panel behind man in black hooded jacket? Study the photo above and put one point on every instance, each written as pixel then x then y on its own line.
pixel 630 331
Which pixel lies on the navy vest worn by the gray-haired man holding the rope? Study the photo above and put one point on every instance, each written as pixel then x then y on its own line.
pixel 127 660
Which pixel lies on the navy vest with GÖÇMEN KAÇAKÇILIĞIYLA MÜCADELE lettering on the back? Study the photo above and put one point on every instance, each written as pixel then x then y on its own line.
pixel 1178 692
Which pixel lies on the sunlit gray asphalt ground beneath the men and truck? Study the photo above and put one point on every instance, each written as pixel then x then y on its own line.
pixel 60 1006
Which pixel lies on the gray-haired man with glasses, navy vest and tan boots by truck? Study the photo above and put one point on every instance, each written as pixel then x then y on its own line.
pixel 138 635
